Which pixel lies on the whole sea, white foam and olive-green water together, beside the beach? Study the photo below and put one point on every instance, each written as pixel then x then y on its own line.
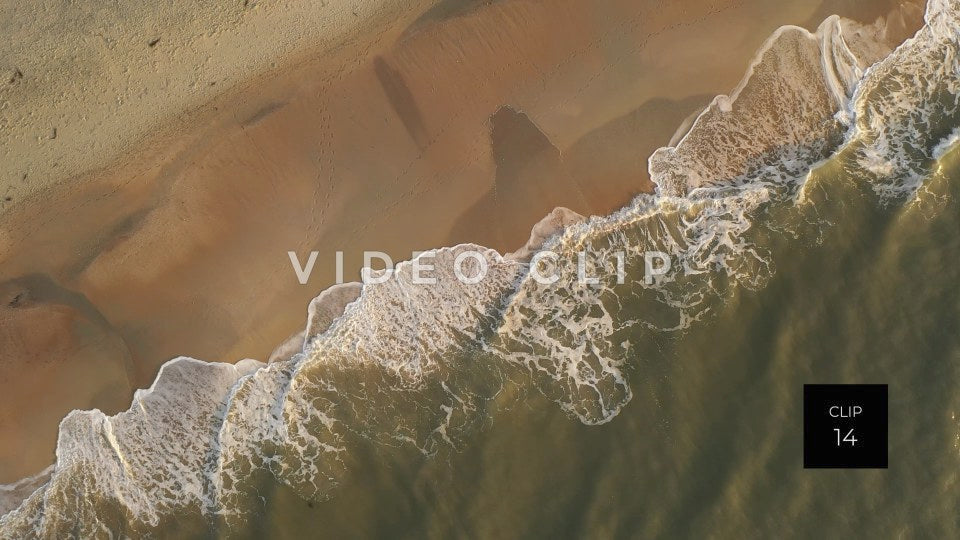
pixel 813 224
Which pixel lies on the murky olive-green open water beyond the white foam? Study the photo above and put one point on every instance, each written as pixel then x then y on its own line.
pixel 711 443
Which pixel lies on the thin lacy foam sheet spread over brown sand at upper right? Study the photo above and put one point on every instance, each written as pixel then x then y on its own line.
pixel 782 117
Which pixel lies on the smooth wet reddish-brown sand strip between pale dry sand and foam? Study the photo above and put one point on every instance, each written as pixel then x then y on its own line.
pixel 145 266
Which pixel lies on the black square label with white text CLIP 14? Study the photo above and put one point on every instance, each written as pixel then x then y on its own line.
pixel 845 426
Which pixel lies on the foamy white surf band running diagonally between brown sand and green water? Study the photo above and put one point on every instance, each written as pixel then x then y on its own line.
pixel 400 363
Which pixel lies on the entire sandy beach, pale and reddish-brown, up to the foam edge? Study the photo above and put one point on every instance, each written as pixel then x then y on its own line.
pixel 140 236
